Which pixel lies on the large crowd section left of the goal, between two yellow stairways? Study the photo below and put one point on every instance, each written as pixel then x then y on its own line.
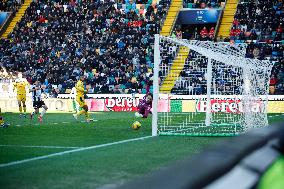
pixel 56 41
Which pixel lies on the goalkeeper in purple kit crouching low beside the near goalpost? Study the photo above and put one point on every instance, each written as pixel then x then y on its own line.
pixel 145 105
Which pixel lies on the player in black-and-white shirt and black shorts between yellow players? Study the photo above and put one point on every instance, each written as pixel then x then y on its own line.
pixel 38 103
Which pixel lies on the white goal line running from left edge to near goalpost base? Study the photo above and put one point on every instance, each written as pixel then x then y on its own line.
pixel 71 151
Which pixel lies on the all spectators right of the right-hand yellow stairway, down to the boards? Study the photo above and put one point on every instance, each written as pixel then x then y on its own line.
pixel 262 21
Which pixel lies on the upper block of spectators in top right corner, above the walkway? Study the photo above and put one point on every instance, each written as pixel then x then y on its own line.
pixel 258 20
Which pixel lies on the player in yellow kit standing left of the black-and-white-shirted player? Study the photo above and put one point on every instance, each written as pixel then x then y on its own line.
pixel 20 85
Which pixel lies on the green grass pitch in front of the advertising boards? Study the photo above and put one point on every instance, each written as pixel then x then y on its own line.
pixel 103 167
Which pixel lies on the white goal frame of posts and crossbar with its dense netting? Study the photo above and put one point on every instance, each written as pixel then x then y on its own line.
pixel 229 54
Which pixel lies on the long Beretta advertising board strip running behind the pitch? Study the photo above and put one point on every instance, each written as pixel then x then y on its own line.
pixel 167 103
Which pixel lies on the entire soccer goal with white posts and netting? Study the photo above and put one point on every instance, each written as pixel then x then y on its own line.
pixel 204 88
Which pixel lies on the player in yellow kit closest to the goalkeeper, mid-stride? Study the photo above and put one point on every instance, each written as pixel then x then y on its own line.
pixel 80 93
